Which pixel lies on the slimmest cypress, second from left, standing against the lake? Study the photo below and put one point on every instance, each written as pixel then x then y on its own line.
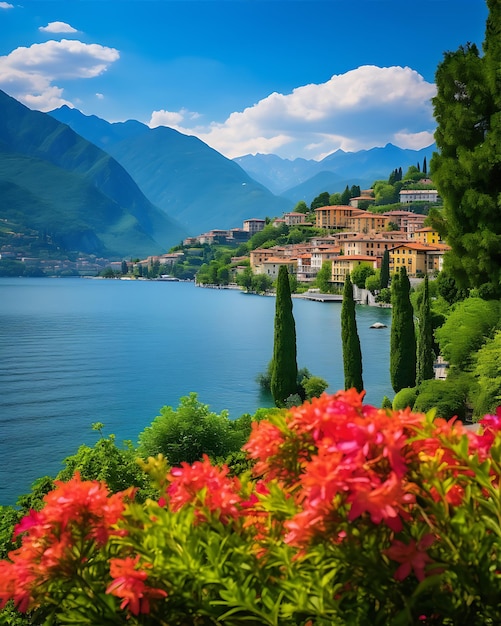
pixel 352 354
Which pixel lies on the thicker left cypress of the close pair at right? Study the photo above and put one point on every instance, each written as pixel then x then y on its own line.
pixel 402 337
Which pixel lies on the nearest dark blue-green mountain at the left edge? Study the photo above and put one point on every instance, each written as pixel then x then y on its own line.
pixel 55 182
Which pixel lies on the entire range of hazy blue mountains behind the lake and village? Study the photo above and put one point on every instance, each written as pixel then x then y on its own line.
pixel 124 189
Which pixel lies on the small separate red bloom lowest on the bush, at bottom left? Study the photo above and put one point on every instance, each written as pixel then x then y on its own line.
pixel 129 584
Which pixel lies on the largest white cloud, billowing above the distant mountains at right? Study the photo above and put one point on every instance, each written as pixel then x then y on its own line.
pixel 366 107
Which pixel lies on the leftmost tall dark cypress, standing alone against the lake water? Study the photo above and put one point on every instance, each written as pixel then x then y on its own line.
pixel 284 362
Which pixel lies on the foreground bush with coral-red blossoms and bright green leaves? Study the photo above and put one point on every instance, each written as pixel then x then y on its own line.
pixel 353 515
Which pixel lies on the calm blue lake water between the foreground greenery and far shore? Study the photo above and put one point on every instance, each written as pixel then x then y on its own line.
pixel 77 351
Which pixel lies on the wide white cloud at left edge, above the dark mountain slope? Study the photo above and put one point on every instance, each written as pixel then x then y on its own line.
pixel 30 74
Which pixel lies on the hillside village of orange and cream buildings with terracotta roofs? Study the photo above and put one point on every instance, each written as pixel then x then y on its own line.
pixel 358 237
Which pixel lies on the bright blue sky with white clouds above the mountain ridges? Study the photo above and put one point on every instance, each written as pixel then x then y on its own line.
pixel 297 78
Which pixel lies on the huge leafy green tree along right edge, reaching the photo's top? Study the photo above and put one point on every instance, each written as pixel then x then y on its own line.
pixel 467 166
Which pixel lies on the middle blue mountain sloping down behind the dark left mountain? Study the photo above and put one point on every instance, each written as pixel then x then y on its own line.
pixel 179 173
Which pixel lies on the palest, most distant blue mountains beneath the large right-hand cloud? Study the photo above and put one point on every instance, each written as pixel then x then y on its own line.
pixel 302 179
